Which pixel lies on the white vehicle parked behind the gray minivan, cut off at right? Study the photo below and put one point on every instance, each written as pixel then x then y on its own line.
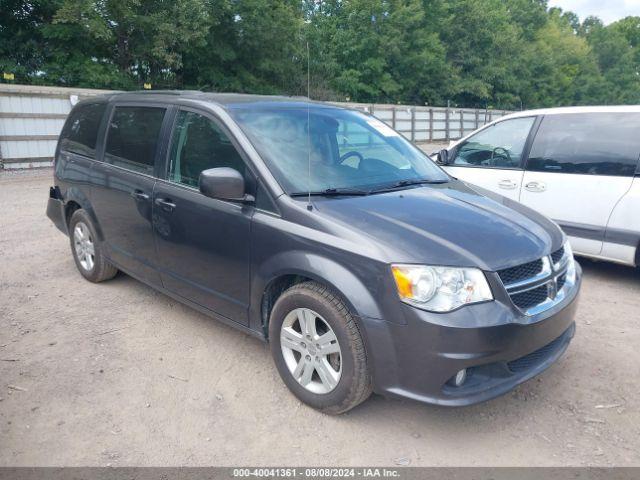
pixel 578 166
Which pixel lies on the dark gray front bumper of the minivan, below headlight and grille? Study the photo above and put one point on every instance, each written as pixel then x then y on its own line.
pixel 418 358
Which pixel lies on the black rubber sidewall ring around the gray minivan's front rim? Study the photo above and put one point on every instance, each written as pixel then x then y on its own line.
pixel 302 298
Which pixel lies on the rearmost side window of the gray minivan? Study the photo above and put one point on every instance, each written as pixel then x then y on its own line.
pixel 80 132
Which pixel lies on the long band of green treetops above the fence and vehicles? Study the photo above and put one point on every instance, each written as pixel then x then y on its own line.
pixel 475 53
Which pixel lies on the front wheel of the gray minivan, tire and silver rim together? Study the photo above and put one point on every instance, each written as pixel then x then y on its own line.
pixel 318 349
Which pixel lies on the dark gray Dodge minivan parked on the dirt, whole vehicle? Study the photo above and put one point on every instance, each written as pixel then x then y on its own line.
pixel 325 232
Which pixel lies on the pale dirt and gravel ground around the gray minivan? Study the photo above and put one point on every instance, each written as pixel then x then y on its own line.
pixel 117 374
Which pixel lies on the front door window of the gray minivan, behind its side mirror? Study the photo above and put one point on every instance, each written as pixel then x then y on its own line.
pixel 198 144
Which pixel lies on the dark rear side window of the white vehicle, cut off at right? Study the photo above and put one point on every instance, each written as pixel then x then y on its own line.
pixel 589 143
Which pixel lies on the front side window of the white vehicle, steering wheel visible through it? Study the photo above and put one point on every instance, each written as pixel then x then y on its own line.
pixel 498 146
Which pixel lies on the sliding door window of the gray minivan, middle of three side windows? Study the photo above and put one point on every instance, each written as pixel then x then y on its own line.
pixel 133 137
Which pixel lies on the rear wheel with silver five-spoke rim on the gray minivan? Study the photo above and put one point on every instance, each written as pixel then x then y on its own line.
pixel 87 251
